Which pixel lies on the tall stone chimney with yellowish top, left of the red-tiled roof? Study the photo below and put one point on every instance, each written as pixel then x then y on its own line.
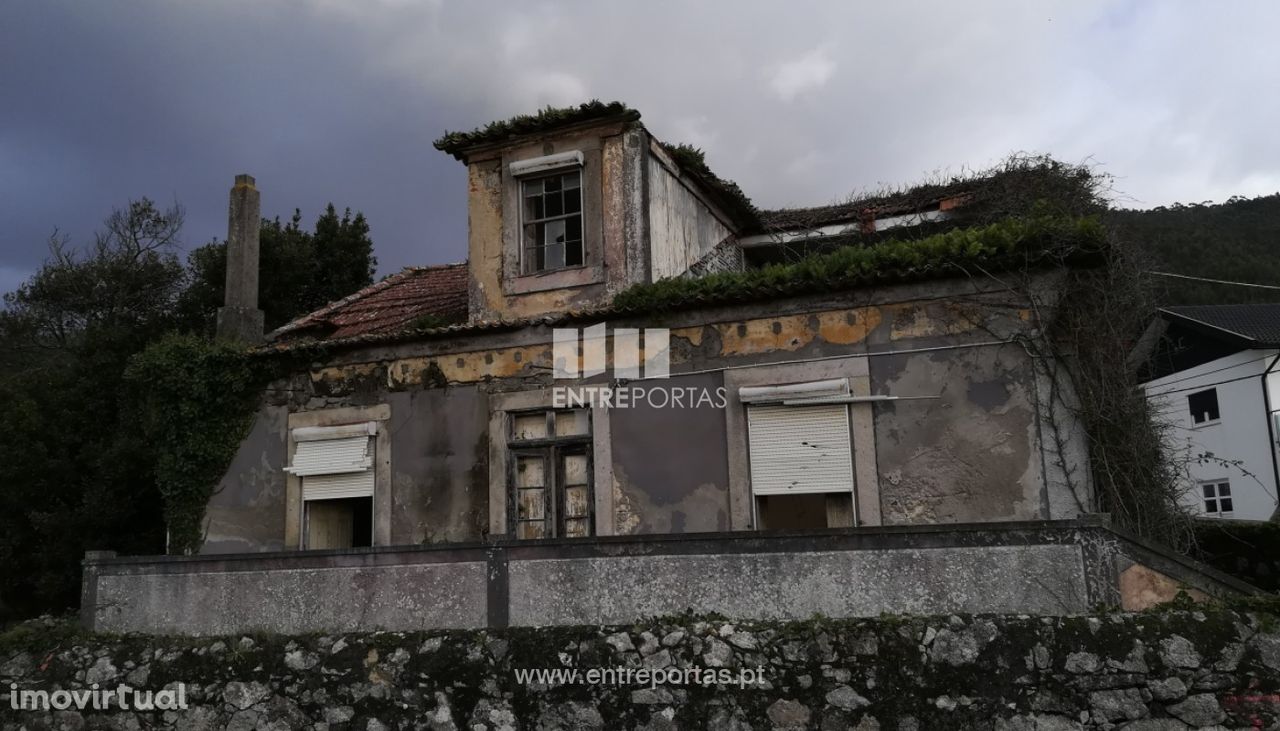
pixel 240 319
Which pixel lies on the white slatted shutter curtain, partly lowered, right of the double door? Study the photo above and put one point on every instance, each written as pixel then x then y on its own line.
pixel 799 450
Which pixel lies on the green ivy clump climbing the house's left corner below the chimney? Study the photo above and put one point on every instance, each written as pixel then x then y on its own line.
pixel 198 401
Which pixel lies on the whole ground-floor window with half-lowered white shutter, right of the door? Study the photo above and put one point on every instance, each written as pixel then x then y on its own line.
pixel 801 455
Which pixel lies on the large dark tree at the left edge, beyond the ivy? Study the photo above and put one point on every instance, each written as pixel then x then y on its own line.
pixel 76 472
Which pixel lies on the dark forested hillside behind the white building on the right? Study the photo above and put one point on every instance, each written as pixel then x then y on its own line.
pixel 1238 241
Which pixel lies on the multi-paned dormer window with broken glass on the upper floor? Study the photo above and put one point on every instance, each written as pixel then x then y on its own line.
pixel 552 222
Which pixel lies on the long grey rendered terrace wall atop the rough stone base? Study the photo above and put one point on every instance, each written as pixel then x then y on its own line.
pixel 1066 568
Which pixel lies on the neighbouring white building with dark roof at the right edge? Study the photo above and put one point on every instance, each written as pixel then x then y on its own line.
pixel 1217 381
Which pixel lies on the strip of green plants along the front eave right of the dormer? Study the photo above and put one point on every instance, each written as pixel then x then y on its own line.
pixel 1012 244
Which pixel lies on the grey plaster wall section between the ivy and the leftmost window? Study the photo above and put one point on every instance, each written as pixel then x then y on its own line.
pixel 246 514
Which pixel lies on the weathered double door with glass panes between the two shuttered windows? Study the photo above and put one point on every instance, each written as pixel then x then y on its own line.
pixel 551 474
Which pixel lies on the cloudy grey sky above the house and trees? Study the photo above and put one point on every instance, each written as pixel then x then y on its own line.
pixel 801 103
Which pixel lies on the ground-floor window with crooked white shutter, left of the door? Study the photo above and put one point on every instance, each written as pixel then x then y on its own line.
pixel 336 465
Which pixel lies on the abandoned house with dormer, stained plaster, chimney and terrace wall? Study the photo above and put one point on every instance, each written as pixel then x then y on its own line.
pixel 529 398
